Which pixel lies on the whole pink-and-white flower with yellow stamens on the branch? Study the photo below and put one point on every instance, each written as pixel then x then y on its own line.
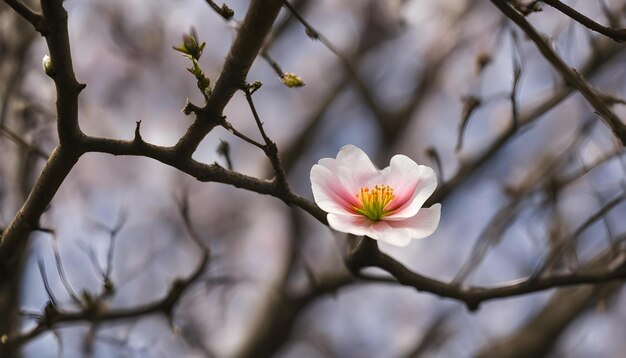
pixel 385 205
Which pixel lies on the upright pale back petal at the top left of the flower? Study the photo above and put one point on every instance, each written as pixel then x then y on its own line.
pixel 354 168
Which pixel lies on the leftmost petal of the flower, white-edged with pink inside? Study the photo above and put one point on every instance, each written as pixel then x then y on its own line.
pixel 329 193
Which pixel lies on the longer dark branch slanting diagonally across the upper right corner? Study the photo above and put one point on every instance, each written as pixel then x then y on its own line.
pixel 571 76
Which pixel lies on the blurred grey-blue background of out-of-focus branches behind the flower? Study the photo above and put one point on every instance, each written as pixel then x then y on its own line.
pixel 530 180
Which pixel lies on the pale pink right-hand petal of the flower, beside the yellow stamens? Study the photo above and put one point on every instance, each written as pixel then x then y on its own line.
pixel 413 184
